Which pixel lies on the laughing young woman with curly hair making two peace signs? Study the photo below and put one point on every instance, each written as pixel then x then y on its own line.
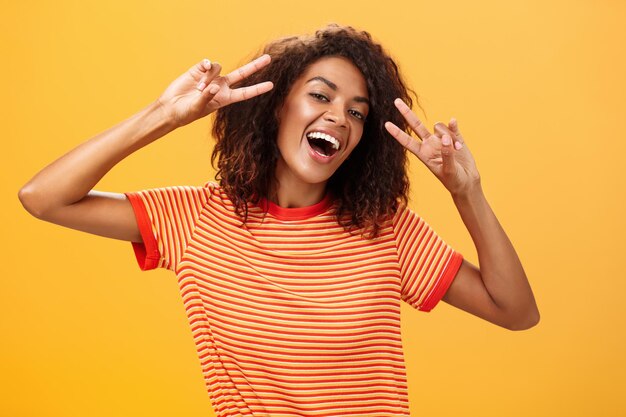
pixel 293 265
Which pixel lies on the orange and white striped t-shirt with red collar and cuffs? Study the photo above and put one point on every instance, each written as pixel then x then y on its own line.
pixel 292 315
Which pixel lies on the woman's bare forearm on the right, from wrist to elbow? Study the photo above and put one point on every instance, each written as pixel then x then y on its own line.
pixel 500 268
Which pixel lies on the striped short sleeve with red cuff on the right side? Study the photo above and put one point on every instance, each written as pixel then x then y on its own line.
pixel 427 264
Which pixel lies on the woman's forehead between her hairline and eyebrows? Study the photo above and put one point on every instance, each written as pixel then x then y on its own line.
pixel 338 70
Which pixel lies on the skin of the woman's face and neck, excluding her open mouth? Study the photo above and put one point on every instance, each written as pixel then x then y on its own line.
pixel 330 95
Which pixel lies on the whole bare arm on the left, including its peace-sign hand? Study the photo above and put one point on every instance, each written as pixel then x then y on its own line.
pixel 61 193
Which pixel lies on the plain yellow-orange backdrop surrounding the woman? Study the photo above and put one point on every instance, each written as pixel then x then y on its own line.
pixel 538 88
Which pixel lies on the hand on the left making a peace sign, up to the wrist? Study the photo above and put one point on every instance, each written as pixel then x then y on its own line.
pixel 201 90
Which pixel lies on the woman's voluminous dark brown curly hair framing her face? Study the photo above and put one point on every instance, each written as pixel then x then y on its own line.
pixel 371 183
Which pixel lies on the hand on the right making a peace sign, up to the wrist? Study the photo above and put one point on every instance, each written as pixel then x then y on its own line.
pixel 444 152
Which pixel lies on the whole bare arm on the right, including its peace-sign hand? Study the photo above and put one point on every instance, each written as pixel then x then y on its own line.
pixel 498 291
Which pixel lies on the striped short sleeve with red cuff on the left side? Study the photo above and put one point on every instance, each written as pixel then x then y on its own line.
pixel 166 218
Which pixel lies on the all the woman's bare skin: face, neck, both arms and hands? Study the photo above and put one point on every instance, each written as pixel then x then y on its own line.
pixel 62 192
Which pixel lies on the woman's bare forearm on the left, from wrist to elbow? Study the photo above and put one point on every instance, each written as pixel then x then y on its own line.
pixel 72 176
